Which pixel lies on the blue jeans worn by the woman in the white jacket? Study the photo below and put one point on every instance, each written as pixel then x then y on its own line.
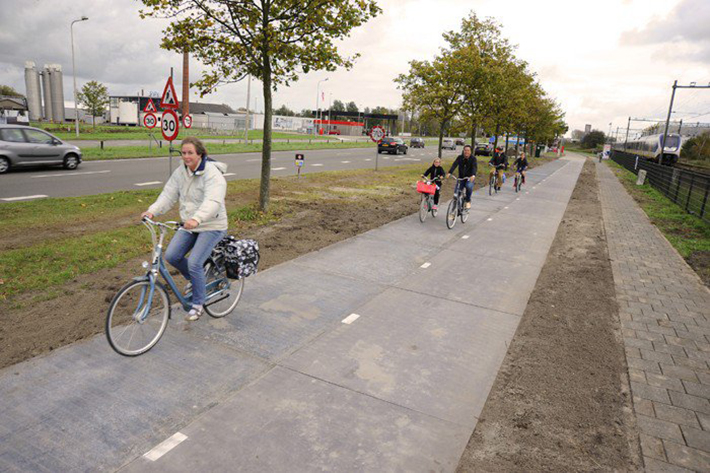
pixel 200 246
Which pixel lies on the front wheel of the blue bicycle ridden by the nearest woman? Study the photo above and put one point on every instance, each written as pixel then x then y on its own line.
pixel 136 320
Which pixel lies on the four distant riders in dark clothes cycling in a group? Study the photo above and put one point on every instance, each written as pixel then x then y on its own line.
pixel 467 166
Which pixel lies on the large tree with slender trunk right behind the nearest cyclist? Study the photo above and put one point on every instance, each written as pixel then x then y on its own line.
pixel 272 40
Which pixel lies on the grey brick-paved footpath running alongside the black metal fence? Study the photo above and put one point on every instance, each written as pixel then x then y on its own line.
pixel 665 316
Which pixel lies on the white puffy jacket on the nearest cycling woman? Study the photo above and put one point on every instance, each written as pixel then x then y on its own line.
pixel 201 195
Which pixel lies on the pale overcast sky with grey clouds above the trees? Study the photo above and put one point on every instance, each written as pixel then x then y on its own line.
pixel 603 61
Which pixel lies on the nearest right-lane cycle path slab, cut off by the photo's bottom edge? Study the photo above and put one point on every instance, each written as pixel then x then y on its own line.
pixel 288 422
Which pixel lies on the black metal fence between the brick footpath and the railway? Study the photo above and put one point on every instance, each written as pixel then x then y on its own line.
pixel 687 189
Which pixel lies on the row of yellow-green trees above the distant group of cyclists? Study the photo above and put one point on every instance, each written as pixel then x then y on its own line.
pixel 476 84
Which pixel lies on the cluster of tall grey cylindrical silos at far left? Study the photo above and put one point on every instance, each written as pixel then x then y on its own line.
pixel 45 92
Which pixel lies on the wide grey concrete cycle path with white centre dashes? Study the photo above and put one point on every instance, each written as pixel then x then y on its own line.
pixel 374 354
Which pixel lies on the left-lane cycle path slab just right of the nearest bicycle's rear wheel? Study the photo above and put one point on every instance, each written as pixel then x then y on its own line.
pixel 285 308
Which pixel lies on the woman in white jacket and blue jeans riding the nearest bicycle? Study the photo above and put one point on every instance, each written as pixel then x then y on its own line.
pixel 200 188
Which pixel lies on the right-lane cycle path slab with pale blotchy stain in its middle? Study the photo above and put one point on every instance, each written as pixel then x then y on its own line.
pixel 417 351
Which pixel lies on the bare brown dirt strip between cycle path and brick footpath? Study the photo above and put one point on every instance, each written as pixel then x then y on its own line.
pixel 561 400
